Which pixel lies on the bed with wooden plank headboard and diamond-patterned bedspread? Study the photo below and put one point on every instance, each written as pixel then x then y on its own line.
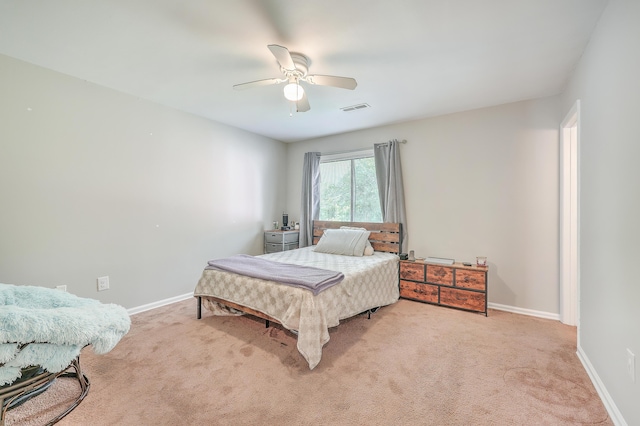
pixel 369 283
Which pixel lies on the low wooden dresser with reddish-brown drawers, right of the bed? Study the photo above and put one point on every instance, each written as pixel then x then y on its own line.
pixel 455 286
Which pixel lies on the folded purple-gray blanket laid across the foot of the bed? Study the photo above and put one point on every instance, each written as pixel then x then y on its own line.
pixel 310 278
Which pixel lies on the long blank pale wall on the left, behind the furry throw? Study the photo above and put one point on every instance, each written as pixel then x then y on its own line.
pixel 94 182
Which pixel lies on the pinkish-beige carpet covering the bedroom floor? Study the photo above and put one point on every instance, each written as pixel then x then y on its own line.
pixel 411 364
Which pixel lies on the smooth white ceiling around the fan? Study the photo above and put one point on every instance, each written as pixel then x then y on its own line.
pixel 411 58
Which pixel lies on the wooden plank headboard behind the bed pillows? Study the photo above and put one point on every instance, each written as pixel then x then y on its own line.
pixel 385 237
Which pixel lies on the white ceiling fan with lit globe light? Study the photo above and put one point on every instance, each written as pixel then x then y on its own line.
pixel 294 67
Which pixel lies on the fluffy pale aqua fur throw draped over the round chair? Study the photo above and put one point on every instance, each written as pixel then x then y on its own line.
pixel 57 325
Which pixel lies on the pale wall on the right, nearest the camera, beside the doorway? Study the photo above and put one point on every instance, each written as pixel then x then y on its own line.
pixel 608 85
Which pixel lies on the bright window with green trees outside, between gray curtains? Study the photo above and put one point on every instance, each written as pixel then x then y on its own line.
pixel 348 188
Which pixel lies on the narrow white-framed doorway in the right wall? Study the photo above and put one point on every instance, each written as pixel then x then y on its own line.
pixel 569 217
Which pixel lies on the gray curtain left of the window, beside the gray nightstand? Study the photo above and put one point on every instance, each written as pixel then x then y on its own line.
pixel 310 199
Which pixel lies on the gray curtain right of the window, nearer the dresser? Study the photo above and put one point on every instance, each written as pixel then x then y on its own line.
pixel 390 186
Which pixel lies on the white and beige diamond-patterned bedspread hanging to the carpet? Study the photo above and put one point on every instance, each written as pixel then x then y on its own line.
pixel 370 281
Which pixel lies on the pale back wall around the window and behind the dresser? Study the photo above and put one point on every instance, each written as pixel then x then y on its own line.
pixel 482 182
